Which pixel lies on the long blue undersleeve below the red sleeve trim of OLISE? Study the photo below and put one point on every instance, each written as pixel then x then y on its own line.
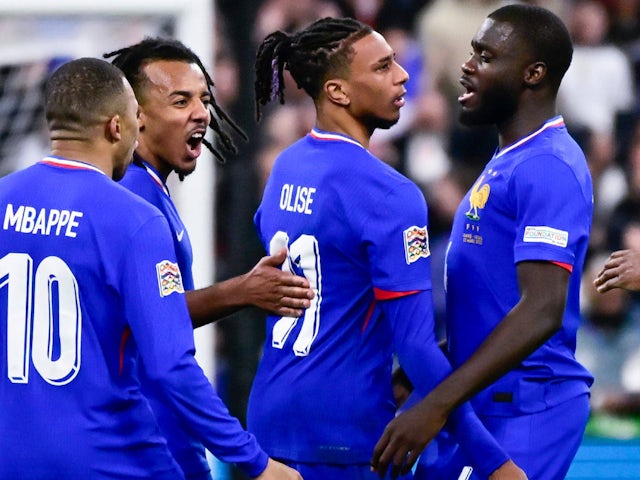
pixel 426 365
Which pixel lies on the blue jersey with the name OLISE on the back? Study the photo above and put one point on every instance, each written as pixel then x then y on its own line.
pixel 357 230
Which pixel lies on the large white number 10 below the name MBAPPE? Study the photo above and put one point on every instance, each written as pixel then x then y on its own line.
pixel 30 296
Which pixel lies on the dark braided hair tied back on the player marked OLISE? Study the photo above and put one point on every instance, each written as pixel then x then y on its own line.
pixel 323 48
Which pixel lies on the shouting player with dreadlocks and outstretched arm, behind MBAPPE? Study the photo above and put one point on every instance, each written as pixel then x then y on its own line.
pixel 175 95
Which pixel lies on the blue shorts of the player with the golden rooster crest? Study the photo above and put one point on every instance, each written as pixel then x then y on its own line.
pixel 543 444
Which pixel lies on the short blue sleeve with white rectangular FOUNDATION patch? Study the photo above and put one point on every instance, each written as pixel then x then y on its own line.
pixel 551 210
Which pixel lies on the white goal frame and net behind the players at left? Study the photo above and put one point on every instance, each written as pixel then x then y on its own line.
pixel 40 34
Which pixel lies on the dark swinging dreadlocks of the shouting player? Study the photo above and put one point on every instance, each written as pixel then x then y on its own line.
pixel 131 60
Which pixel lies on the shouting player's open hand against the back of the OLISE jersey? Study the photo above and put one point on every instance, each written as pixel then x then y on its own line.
pixel 268 287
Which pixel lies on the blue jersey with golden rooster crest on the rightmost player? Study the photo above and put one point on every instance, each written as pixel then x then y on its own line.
pixel 532 202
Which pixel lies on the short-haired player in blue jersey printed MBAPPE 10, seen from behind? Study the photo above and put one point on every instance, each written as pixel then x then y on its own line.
pixel 90 295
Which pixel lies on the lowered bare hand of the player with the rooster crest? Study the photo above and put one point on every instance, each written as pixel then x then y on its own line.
pixel 404 438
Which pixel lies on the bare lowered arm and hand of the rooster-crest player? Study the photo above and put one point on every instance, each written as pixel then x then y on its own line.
pixel 533 320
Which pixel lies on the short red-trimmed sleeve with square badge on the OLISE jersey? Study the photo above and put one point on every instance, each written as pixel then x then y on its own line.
pixel 397 240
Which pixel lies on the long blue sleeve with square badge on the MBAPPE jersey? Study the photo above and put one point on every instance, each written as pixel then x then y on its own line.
pixel 161 327
